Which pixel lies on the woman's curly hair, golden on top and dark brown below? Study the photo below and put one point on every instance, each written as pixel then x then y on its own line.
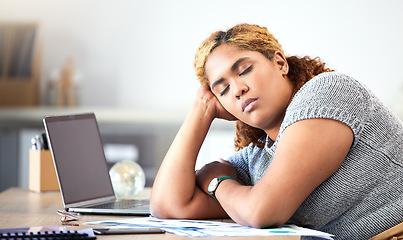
pixel 255 38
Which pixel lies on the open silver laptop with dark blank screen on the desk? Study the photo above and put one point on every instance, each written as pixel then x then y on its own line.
pixel 81 168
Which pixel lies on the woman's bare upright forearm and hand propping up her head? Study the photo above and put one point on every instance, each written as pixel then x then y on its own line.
pixel 175 194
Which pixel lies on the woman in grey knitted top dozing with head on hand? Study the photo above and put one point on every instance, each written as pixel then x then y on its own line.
pixel 316 148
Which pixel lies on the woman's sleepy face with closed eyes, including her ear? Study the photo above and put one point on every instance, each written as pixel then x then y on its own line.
pixel 251 87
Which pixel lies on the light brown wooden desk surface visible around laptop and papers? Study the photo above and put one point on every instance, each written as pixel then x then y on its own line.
pixel 24 208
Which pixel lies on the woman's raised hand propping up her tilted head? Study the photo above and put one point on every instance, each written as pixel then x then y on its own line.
pixel 212 103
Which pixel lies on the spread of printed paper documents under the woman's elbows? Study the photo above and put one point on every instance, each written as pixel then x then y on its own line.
pixel 198 228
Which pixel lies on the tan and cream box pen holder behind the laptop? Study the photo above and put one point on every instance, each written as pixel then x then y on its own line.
pixel 42 175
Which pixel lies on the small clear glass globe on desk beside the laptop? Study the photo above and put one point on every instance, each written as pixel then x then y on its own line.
pixel 128 178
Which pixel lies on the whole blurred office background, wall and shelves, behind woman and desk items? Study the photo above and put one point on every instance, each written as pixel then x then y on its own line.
pixel 131 62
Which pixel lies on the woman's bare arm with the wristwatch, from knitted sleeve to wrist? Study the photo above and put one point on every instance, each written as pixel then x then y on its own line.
pixel 308 152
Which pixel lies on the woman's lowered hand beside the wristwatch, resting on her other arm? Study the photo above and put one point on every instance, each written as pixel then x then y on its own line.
pixel 212 170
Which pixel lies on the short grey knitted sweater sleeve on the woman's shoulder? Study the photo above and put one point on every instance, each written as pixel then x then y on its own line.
pixel 333 96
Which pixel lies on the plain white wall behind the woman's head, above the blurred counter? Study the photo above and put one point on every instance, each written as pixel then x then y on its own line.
pixel 140 53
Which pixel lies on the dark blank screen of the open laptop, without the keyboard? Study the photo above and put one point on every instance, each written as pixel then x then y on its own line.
pixel 79 157
